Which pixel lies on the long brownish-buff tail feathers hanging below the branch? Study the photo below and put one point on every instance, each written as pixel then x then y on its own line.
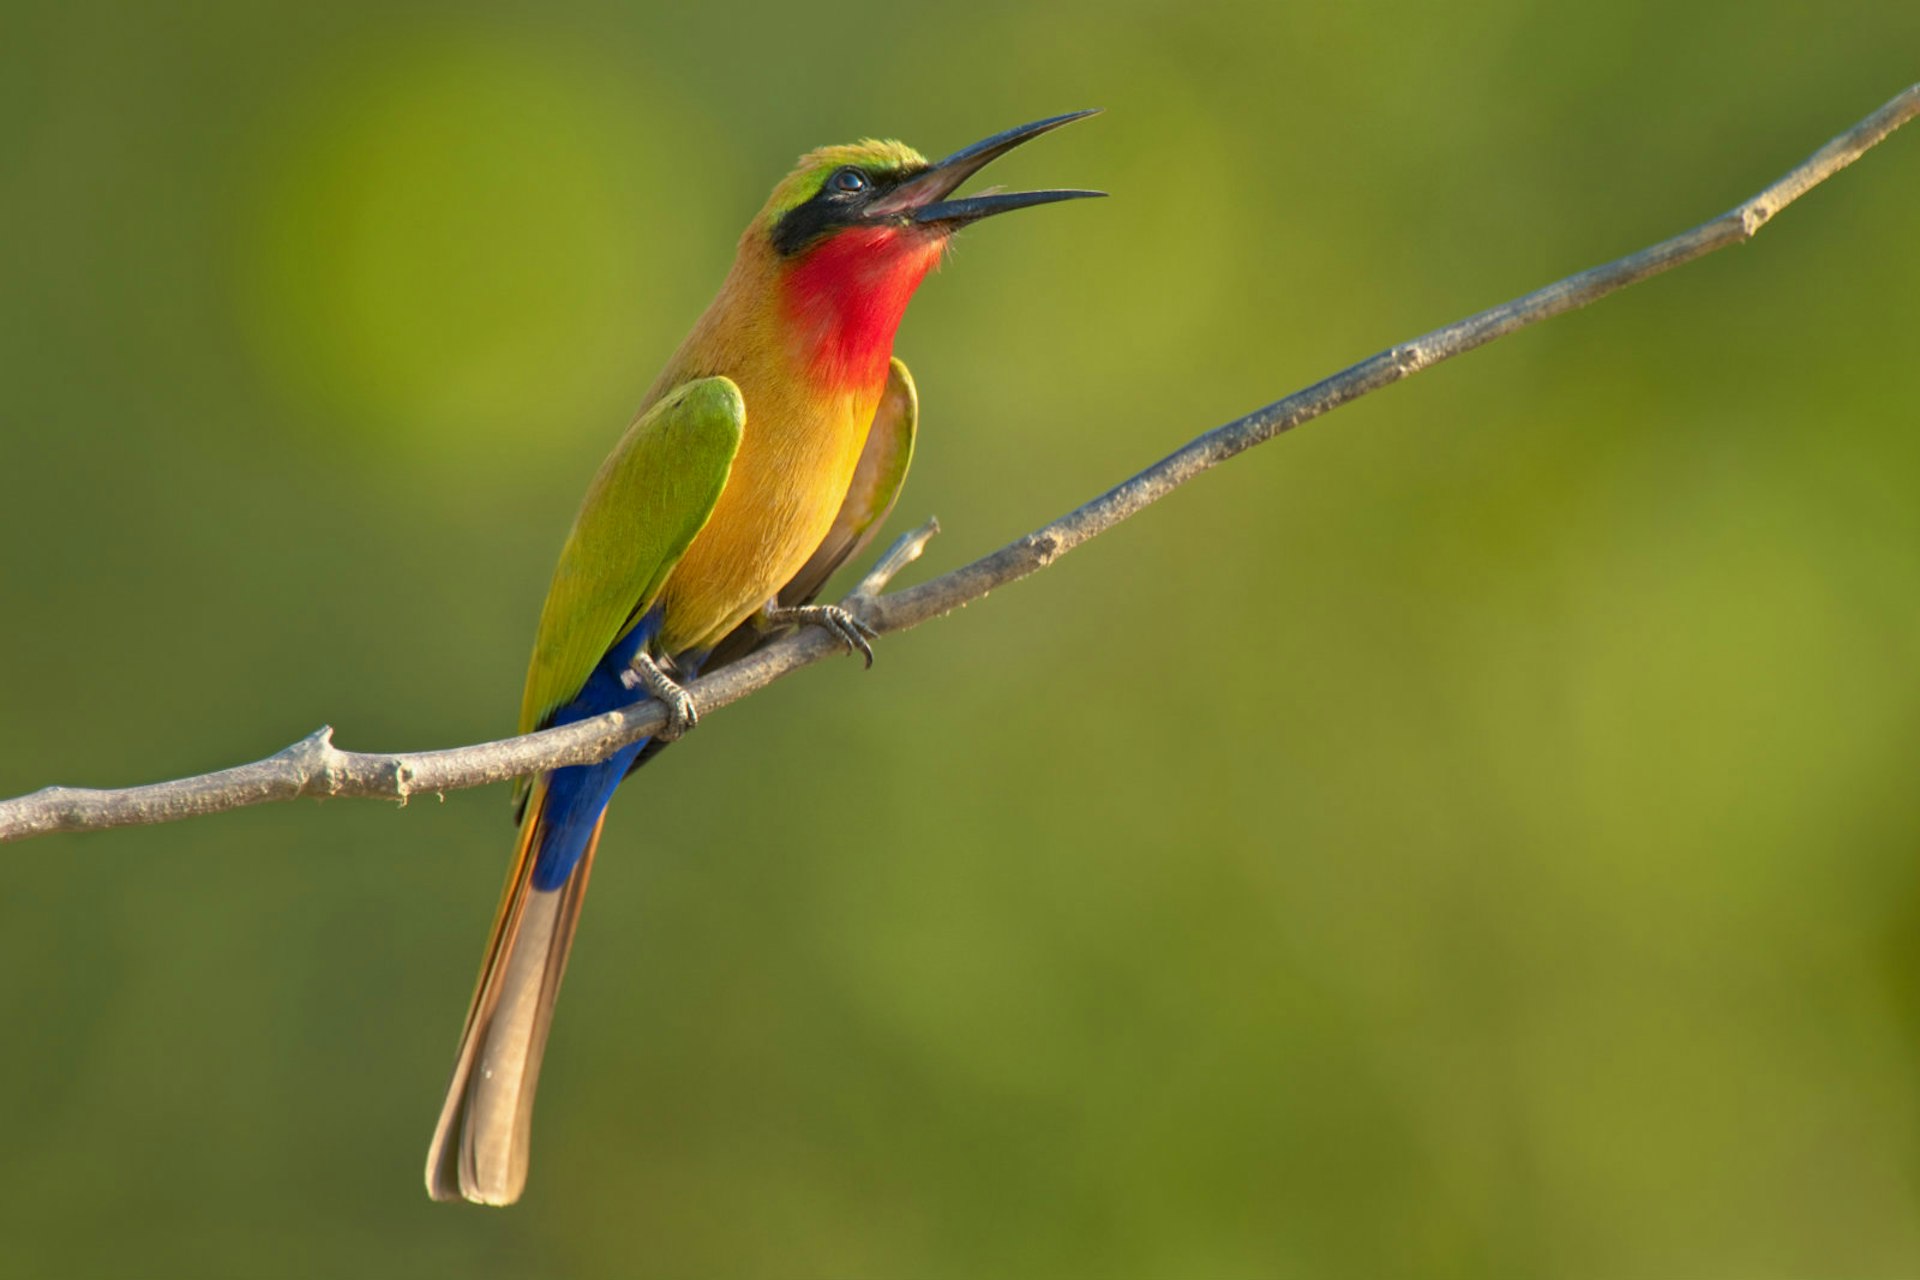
pixel 481 1147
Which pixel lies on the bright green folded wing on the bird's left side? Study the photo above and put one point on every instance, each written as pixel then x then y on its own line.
pixel 648 502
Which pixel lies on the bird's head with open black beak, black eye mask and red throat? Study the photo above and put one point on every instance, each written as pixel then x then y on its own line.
pixel 855 229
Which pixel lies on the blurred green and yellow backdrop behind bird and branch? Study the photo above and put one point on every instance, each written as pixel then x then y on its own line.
pixel 1472 838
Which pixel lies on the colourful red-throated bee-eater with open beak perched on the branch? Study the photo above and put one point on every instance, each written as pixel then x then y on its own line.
pixel 769 452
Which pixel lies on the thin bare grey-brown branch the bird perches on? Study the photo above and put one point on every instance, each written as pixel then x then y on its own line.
pixel 318 769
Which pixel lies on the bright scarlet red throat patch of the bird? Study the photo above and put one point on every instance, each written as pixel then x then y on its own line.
pixel 846 300
